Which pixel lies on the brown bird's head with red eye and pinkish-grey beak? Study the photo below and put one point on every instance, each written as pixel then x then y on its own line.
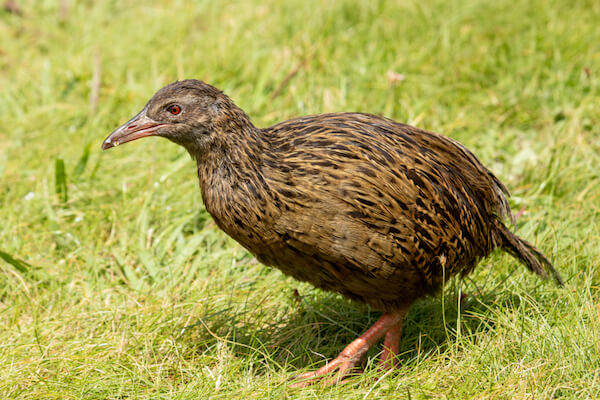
pixel 190 113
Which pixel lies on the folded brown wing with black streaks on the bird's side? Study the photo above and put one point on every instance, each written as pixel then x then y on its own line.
pixel 371 192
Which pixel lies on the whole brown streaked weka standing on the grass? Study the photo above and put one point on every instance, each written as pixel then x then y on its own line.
pixel 378 211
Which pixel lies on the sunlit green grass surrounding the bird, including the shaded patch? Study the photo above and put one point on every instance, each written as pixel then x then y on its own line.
pixel 115 283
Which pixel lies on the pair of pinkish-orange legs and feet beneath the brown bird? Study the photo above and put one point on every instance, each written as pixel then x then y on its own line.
pixel 345 362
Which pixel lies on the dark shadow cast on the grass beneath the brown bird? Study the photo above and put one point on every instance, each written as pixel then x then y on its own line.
pixel 315 328
